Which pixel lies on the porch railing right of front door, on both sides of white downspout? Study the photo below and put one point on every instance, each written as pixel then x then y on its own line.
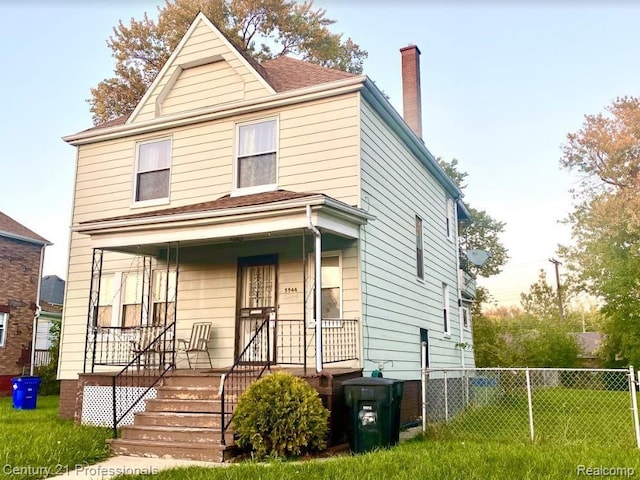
pixel 339 341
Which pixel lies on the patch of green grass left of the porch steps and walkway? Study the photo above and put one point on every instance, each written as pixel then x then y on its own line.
pixel 35 443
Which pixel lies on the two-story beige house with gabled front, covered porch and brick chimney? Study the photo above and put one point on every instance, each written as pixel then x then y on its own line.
pixel 232 191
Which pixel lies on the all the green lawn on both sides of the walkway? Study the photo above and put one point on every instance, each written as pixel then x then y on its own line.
pixel 37 439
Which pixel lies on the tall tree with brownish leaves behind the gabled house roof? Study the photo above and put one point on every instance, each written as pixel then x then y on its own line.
pixel 265 29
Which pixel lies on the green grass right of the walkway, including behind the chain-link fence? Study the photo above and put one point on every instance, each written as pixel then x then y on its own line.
pixel 576 430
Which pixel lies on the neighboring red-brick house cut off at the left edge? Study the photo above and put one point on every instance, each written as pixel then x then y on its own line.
pixel 21 256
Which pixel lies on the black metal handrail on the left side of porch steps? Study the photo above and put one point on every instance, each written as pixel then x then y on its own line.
pixel 142 373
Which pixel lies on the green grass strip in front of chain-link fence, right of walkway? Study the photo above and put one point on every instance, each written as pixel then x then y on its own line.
pixel 427 459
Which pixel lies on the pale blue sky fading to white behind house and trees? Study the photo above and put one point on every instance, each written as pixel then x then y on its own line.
pixel 503 83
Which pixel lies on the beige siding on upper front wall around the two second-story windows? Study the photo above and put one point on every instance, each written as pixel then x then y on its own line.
pixel 314 155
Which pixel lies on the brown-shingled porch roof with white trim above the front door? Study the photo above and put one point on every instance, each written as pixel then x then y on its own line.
pixel 226 219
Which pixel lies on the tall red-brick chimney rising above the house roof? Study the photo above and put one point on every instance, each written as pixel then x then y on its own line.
pixel 411 97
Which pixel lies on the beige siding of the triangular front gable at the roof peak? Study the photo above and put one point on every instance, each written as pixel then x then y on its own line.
pixel 203 44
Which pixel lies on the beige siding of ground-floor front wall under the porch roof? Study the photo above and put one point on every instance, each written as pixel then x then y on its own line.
pixel 206 291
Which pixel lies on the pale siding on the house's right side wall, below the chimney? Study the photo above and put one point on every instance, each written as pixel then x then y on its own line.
pixel 396 304
